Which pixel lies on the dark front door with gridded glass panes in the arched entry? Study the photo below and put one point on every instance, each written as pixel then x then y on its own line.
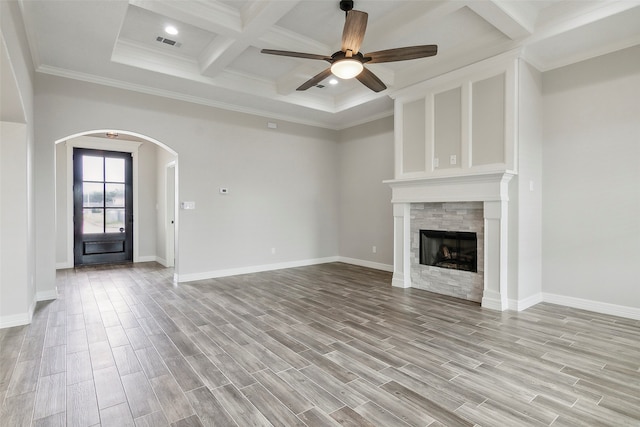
pixel 103 207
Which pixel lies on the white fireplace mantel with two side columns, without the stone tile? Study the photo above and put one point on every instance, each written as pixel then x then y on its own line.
pixel 491 190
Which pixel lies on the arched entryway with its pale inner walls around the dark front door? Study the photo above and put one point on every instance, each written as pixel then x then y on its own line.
pixel 152 214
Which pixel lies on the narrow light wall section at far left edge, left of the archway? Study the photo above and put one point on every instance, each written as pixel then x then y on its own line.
pixel 19 285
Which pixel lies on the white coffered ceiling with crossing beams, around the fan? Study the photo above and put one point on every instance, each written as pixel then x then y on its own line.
pixel 216 57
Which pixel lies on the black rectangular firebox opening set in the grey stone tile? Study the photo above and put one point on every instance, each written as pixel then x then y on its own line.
pixel 456 250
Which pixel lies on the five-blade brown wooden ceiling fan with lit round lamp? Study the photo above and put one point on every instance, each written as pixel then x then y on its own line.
pixel 349 62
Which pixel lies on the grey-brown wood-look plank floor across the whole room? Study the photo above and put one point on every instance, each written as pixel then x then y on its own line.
pixel 325 345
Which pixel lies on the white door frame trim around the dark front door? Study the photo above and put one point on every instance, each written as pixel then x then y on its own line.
pixel 109 145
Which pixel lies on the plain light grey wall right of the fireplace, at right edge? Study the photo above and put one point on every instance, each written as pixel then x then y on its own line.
pixel 591 180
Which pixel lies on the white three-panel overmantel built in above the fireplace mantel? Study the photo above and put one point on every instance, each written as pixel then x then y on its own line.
pixel 459 123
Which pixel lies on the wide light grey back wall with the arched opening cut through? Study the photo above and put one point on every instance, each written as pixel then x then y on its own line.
pixel 282 181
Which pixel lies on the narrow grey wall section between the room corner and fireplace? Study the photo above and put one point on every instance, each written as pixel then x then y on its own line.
pixel 366 217
